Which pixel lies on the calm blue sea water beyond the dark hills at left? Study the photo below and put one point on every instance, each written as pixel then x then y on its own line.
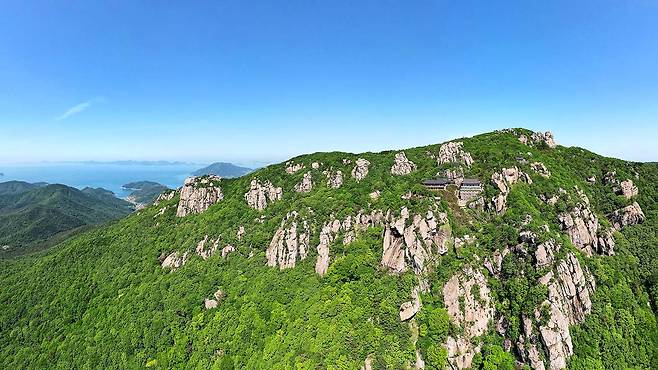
pixel 103 175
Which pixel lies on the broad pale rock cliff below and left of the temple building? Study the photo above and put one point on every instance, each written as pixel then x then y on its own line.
pixel 412 245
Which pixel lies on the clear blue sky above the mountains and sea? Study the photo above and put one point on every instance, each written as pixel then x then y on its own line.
pixel 265 80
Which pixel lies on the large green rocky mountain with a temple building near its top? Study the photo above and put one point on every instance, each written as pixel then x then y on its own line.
pixel 498 251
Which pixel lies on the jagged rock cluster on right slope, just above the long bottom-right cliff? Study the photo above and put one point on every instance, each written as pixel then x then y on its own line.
pixel 582 226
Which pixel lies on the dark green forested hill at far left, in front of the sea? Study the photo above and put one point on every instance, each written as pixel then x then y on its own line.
pixel 34 216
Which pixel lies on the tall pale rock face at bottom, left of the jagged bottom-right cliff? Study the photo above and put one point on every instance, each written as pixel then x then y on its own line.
pixel 468 301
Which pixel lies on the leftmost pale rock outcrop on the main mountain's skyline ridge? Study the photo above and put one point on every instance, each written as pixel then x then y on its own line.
pixel 198 194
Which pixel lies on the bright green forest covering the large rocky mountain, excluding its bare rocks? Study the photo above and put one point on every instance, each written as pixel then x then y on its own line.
pixel 101 299
